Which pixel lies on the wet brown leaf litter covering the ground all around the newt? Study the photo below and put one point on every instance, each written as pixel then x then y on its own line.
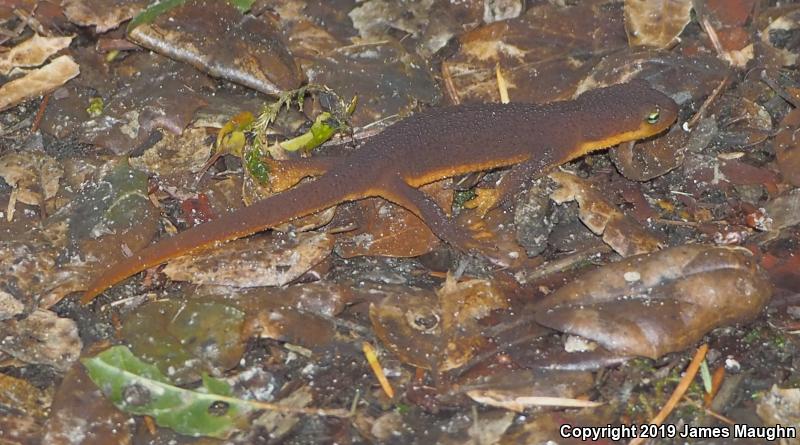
pixel 673 241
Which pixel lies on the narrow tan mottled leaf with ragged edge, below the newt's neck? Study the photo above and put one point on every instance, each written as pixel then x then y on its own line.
pixel 621 232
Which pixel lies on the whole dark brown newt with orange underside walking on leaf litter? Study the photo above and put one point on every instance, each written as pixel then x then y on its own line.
pixel 427 147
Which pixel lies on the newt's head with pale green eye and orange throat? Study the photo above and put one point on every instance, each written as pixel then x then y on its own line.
pixel 624 112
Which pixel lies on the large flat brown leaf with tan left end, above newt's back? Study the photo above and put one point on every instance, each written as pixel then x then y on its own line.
pixel 544 53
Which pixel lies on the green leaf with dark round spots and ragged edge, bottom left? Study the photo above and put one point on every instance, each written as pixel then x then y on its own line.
pixel 140 388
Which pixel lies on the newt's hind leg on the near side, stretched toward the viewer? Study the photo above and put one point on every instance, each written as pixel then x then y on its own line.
pixel 398 192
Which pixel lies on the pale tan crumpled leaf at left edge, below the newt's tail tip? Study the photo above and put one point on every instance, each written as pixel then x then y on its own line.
pixel 42 338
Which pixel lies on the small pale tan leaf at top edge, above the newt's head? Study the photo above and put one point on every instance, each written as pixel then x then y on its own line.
pixel 656 23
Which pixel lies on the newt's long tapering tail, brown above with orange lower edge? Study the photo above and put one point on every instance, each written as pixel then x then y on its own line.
pixel 302 200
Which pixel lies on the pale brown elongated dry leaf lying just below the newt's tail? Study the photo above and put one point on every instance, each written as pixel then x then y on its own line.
pixel 263 260
